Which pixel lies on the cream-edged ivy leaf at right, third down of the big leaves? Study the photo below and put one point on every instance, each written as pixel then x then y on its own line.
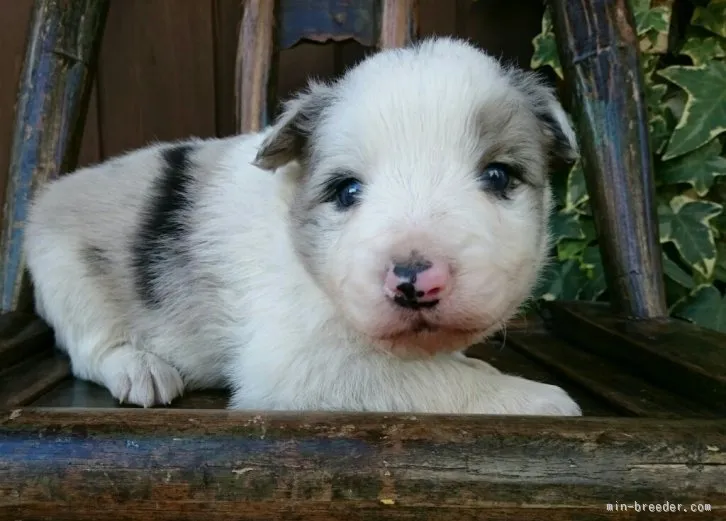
pixel 685 223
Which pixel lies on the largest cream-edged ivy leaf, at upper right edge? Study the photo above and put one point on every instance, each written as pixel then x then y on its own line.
pixel 704 116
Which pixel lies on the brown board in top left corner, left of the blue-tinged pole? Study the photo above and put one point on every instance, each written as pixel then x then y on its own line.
pixel 13 29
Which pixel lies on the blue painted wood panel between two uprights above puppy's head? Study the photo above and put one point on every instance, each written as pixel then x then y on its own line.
pixel 324 20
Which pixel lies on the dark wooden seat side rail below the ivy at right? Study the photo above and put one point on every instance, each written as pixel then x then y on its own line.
pixel 674 354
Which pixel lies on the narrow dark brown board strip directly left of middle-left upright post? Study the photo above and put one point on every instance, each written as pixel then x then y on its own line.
pixel 227 19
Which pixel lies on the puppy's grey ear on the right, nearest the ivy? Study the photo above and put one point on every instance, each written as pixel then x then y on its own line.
pixel 555 123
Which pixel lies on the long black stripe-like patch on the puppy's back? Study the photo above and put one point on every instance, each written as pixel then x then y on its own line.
pixel 164 227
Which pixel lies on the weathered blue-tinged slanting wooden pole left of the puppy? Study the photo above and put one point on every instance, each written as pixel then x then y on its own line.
pixel 52 104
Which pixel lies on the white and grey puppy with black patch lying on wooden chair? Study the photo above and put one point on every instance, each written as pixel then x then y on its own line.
pixel 341 259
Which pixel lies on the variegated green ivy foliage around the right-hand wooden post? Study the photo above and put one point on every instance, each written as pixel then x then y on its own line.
pixel 685 89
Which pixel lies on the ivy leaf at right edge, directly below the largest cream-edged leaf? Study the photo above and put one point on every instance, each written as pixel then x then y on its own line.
pixel 698 168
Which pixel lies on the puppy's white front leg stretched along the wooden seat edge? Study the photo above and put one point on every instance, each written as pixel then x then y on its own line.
pixel 333 379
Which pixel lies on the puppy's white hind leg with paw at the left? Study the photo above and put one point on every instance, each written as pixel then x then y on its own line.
pixel 75 294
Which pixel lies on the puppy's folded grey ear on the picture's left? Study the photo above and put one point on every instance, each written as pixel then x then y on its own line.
pixel 291 132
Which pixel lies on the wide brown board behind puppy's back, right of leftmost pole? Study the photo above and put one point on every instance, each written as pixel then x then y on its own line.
pixel 156 74
